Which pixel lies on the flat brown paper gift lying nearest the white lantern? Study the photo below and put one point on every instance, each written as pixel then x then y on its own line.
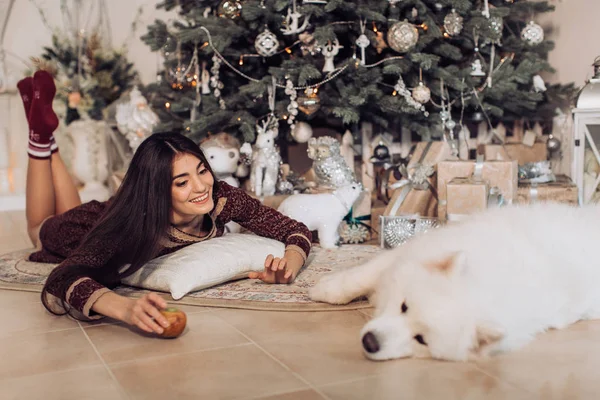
pixel 561 191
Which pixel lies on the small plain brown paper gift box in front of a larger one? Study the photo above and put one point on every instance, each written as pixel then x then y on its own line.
pixel 466 196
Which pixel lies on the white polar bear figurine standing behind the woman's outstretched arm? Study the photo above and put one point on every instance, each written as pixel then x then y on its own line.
pixel 322 212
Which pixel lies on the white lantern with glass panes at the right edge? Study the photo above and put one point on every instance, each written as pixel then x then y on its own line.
pixel 586 138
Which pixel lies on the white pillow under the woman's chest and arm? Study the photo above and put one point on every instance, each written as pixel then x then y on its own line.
pixel 206 264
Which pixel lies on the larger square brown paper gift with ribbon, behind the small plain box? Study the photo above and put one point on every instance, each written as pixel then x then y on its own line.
pixel 500 174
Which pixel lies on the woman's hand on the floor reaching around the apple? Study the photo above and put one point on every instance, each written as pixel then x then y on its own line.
pixel 144 313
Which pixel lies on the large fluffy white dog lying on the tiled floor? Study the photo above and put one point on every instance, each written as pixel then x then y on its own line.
pixel 487 284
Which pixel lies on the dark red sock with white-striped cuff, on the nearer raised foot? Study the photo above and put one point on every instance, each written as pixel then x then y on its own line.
pixel 42 119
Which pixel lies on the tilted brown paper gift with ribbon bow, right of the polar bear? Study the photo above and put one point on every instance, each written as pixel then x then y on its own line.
pixel 406 198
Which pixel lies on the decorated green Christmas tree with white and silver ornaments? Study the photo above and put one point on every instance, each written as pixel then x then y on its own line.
pixel 424 65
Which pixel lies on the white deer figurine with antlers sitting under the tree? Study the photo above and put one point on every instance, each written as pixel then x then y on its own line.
pixel 266 160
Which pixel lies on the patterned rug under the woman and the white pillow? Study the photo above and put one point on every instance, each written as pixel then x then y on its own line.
pixel 16 273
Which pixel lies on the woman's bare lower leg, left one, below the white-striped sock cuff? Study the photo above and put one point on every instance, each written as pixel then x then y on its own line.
pixel 40 199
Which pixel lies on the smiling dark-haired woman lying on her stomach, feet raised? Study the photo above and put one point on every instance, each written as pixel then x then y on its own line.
pixel 169 199
